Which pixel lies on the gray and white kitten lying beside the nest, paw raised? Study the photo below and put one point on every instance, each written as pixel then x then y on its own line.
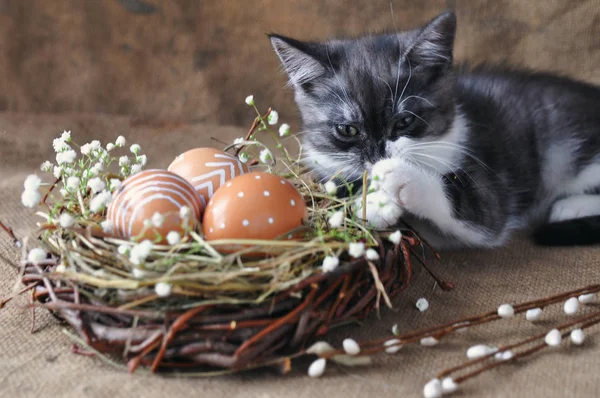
pixel 467 157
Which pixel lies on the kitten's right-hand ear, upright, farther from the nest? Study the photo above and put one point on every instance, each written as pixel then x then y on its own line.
pixel 435 42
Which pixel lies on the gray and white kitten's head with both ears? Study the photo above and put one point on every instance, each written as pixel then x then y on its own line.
pixel 371 98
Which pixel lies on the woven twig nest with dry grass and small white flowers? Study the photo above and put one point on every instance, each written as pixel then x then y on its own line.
pixel 189 305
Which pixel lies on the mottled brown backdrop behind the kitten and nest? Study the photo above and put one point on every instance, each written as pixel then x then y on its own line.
pixel 195 60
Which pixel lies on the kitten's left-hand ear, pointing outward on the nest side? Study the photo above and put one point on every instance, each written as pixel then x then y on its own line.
pixel 302 61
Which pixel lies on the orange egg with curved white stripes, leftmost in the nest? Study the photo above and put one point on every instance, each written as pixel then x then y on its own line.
pixel 148 206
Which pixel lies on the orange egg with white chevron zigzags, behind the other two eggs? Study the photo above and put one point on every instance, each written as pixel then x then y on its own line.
pixel 207 169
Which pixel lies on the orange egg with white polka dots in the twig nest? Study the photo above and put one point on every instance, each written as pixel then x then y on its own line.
pixel 254 206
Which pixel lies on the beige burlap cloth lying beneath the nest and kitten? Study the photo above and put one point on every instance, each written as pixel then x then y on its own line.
pixel 40 363
